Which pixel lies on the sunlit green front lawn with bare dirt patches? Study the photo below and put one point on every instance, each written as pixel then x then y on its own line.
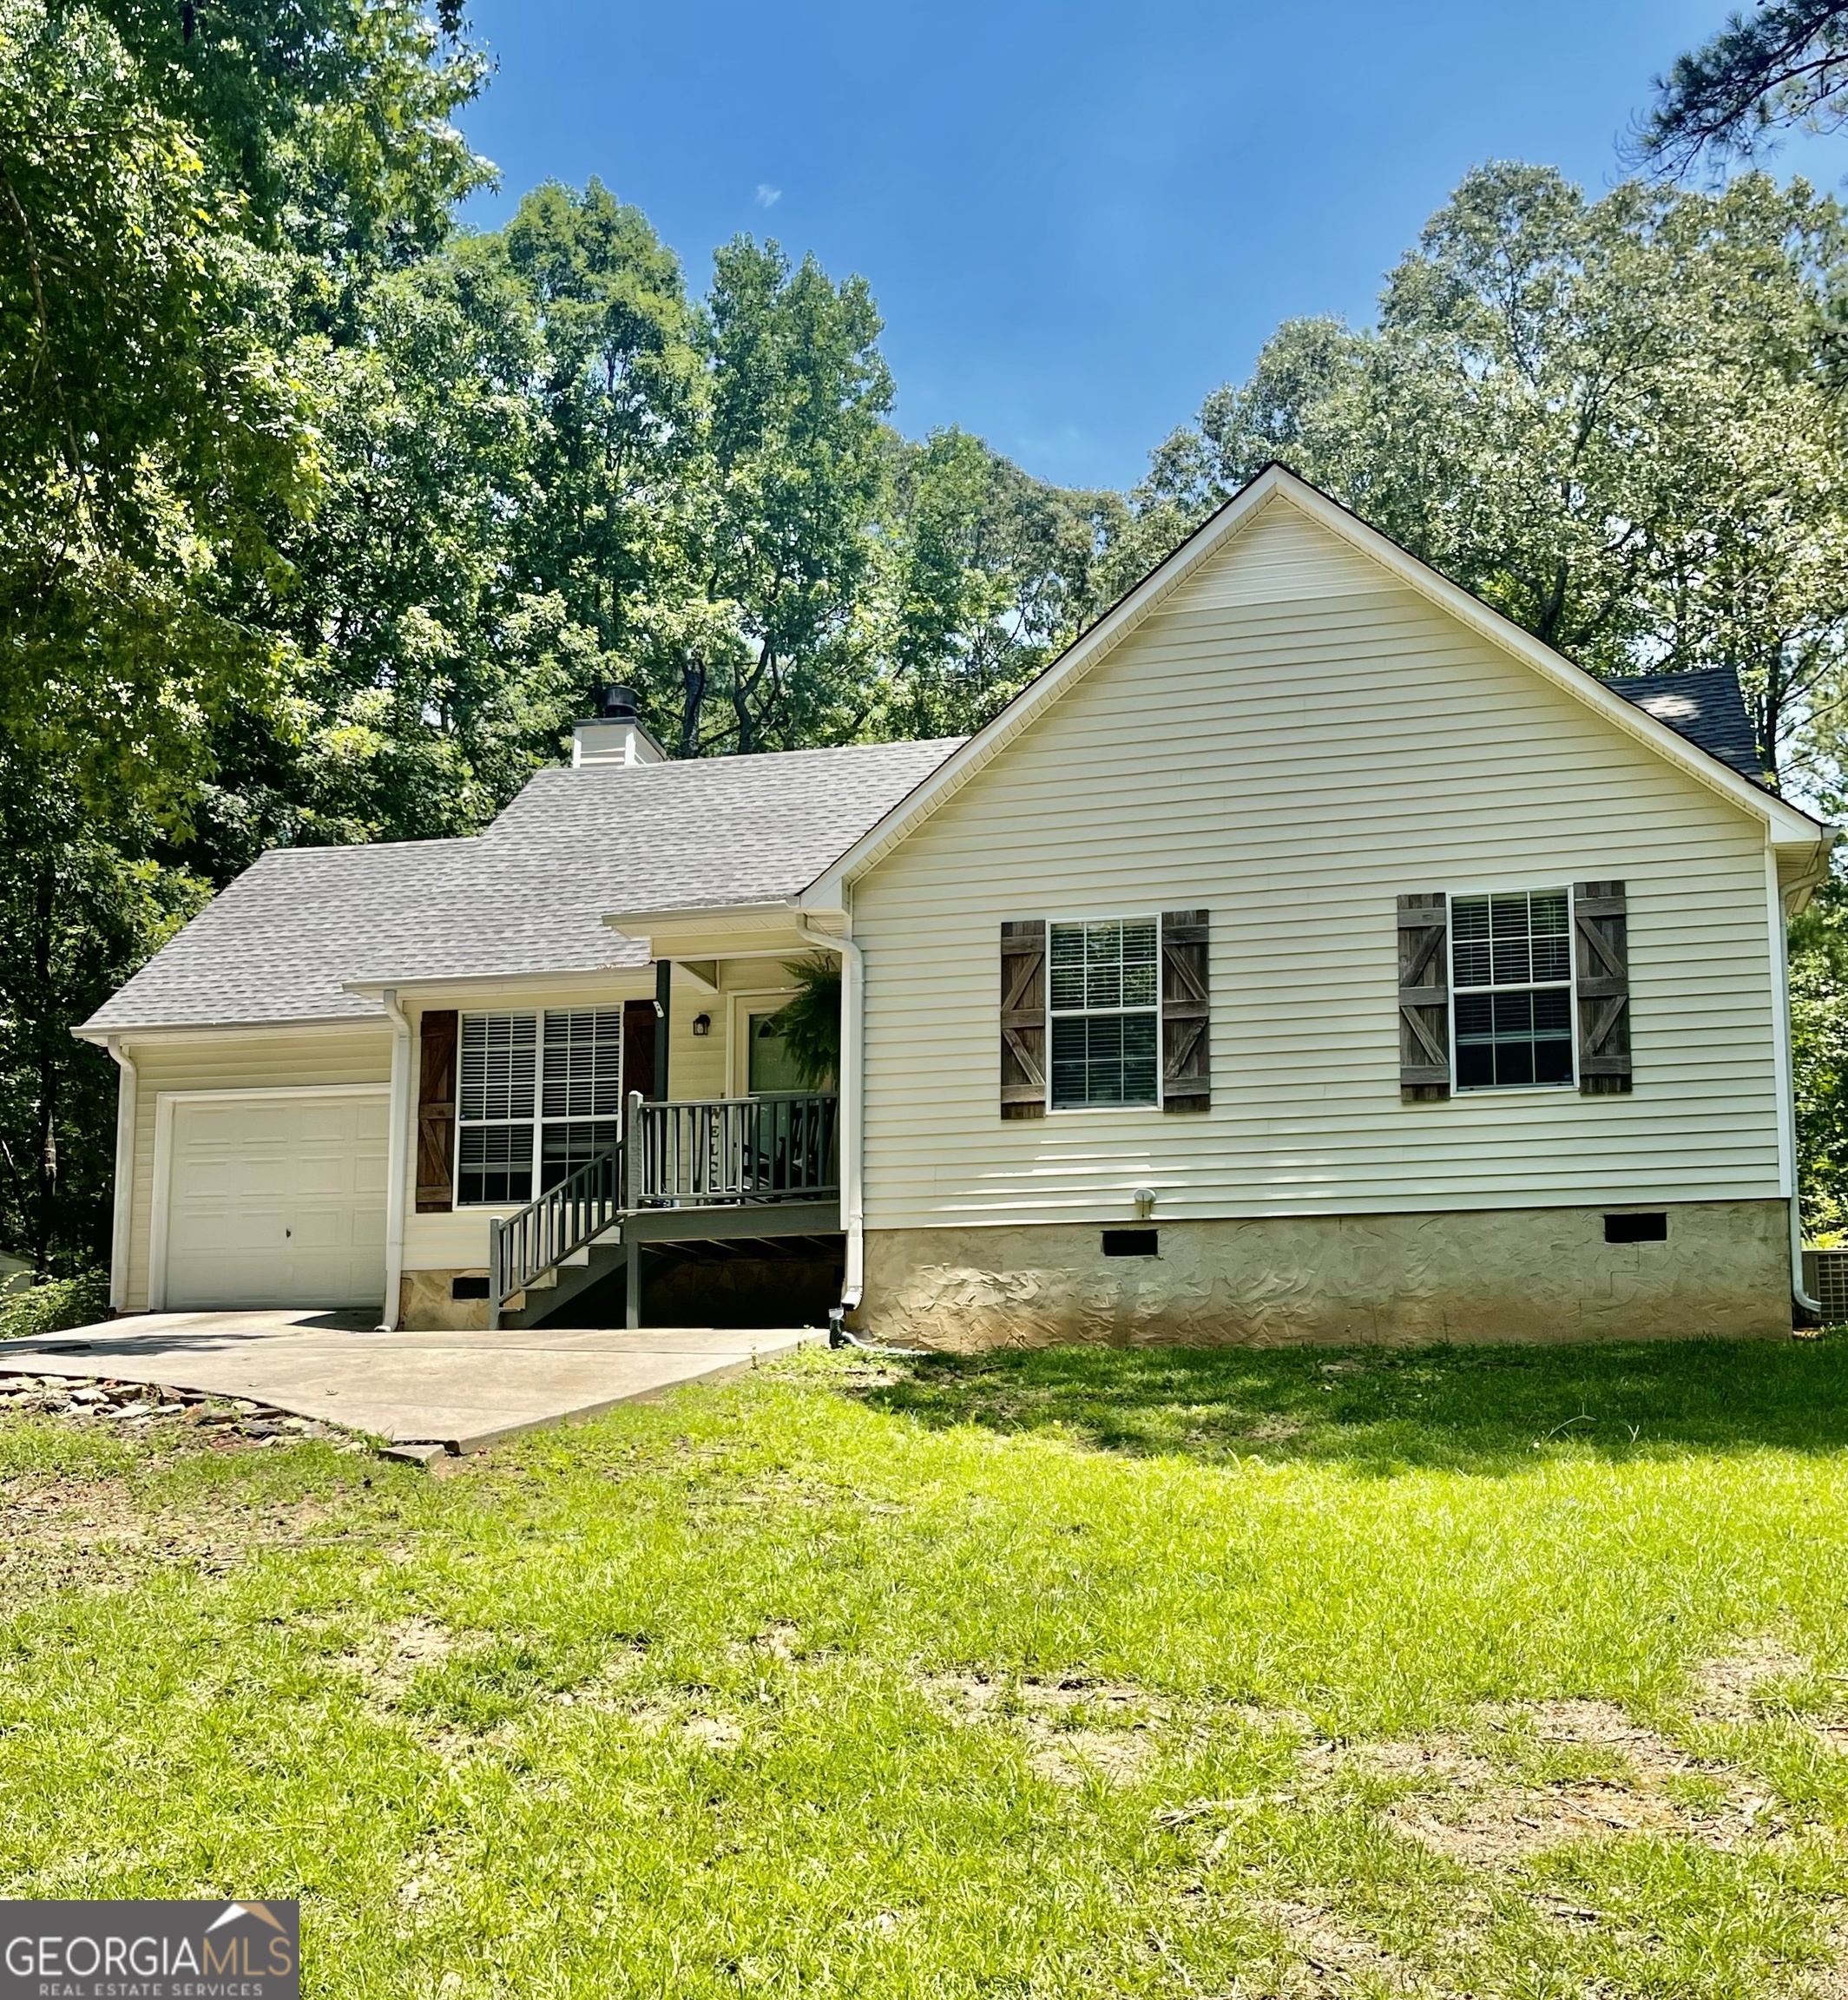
pixel 1085 1673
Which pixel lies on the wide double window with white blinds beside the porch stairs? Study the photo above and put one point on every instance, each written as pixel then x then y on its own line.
pixel 537 1091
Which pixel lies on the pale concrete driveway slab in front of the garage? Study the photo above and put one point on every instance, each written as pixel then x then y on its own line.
pixel 445 1393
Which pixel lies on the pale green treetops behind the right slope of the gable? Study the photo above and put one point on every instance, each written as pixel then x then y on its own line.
pixel 1615 421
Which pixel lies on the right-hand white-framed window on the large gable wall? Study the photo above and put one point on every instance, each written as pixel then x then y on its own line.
pixel 1511 973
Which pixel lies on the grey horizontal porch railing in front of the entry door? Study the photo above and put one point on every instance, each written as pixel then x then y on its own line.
pixel 771 1149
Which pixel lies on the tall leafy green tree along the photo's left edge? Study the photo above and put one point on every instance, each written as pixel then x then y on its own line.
pixel 159 249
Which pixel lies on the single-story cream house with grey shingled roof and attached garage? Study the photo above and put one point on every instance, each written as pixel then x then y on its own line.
pixel 1309 955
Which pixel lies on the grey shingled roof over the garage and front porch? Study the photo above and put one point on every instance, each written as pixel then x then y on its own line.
pixel 525 897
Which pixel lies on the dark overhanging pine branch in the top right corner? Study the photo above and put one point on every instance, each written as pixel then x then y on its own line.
pixel 1783 65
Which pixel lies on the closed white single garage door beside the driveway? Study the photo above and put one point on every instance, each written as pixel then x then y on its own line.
pixel 277 1201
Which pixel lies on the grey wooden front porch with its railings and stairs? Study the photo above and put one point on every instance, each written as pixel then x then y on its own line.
pixel 703 1171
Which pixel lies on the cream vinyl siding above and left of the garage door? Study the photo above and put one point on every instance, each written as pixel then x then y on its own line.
pixel 263 1059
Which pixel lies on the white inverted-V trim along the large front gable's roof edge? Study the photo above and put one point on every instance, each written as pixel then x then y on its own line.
pixel 1277 485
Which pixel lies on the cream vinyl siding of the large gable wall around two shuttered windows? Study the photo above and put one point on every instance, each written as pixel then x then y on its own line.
pixel 1293 743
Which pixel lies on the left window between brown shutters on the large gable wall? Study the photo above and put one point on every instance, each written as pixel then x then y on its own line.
pixel 1105 995
